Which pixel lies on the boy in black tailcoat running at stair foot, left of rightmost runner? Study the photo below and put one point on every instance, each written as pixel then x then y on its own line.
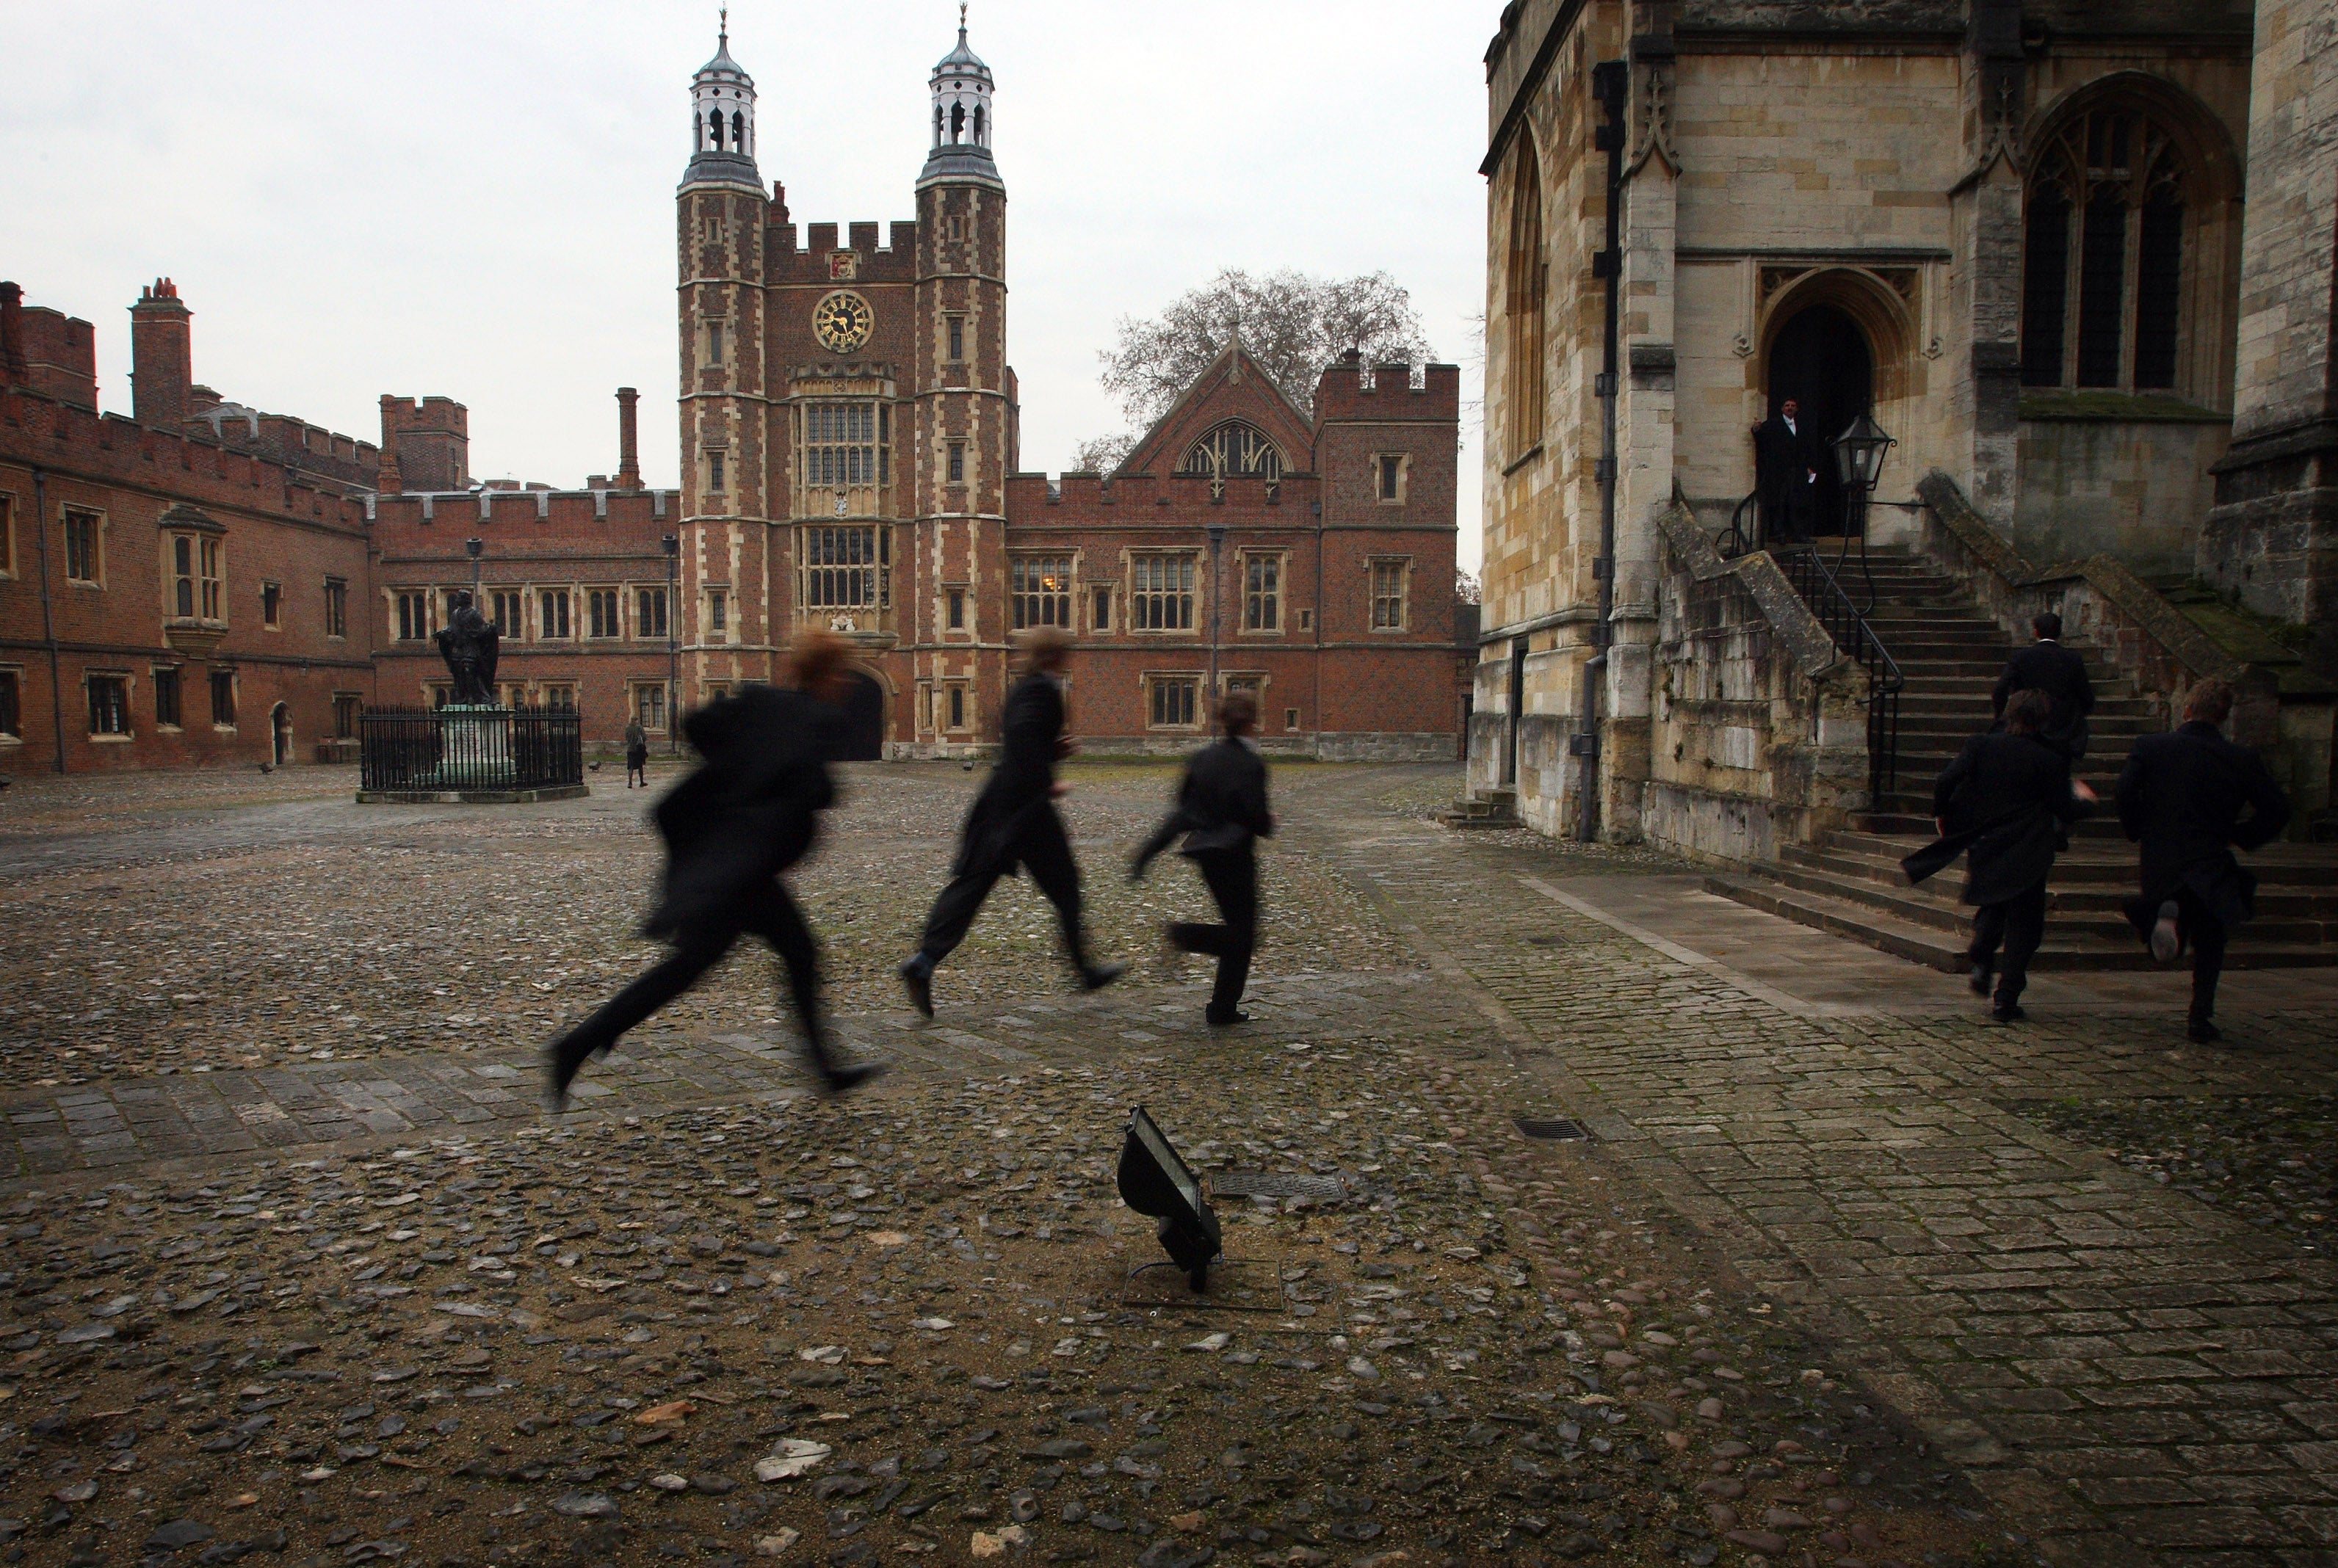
pixel 2007 800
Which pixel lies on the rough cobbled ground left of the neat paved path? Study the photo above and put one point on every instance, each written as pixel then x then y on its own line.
pixel 291 1307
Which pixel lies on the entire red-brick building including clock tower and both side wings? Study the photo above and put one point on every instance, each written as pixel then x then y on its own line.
pixel 850 459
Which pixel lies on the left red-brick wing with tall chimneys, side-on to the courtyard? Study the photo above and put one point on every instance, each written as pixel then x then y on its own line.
pixel 174 590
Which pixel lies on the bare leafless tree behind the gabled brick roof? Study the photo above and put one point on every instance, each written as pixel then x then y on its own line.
pixel 1289 324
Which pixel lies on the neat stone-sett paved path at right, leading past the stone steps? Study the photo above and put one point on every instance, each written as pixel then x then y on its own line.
pixel 2129 1373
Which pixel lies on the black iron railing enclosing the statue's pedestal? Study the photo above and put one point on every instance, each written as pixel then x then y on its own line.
pixel 469 749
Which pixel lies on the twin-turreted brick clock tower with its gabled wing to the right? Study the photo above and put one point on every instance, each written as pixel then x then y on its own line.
pixel 852 450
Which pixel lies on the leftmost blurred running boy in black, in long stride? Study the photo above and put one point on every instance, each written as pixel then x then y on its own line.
pixel 742 819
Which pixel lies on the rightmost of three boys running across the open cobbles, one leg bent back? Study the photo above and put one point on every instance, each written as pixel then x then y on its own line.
pixel 1222 807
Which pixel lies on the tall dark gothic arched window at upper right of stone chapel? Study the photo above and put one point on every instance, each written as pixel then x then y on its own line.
pixel 2103 268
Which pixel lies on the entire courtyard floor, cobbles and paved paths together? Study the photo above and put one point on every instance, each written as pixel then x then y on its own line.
pixel 300 1272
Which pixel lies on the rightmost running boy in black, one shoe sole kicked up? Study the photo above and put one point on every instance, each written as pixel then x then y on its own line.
pixel 2183 798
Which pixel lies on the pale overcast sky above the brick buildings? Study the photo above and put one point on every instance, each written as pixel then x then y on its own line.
pixel 478 197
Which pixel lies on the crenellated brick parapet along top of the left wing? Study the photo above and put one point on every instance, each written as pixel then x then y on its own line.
pixel 109 447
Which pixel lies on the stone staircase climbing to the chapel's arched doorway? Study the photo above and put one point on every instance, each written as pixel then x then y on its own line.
pixel 1851 882
